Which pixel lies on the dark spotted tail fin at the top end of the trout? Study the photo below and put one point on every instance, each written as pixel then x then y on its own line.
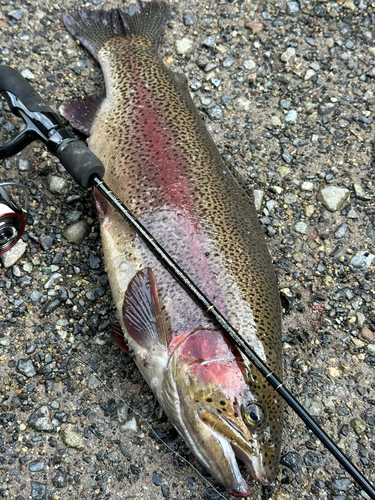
pixel 94 28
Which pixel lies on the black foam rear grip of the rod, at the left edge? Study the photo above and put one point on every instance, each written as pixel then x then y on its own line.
pixel 14 82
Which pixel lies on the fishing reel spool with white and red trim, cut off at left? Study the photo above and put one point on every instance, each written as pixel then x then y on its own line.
pixel 13 210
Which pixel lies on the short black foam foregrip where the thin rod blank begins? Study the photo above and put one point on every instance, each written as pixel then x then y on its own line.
pixel 80 162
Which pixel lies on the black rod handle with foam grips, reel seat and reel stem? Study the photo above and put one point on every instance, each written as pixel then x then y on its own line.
pixel 43 124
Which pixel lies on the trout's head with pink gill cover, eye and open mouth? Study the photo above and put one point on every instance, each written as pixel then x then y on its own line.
pixel 225 413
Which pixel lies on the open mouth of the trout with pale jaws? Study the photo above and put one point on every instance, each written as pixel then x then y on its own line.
pixel 236 446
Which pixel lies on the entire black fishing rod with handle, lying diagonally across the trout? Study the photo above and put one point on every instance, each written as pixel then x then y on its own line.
pixel 43 124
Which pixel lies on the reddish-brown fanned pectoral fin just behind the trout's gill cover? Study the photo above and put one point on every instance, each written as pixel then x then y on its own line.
pixel 142 312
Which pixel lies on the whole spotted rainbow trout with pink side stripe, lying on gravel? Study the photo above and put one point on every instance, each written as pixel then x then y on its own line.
pixel 161 162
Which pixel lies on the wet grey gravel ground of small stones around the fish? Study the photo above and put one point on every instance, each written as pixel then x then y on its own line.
pixel 287 91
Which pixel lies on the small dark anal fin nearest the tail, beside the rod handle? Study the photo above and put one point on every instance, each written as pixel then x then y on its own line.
pixel 81 114
